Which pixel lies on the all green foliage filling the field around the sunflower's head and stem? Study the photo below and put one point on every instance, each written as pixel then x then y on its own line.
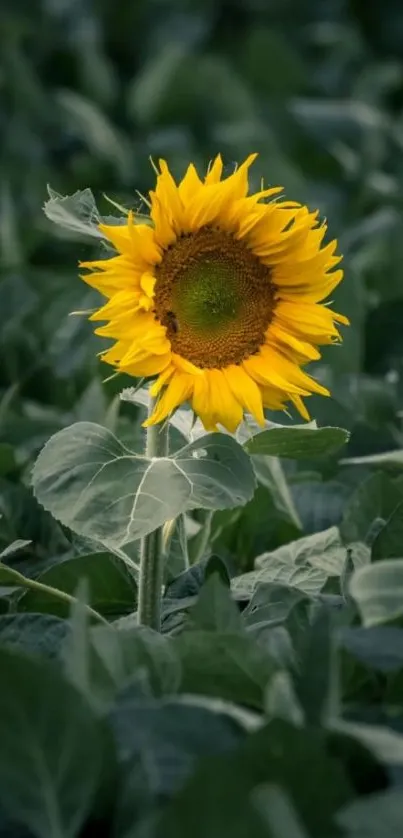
pixel 271 703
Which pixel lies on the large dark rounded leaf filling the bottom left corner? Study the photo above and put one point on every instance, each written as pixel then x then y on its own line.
pixel 52 748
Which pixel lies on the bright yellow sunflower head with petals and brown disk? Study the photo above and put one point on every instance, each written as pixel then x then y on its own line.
pixel 218 296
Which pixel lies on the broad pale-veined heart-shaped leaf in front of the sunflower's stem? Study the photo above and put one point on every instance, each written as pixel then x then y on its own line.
pixel 95 485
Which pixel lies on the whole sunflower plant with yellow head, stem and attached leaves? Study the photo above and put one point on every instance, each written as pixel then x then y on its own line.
pixel 216 300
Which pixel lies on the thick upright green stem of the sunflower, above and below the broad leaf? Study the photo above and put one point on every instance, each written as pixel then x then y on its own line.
pixel 152 545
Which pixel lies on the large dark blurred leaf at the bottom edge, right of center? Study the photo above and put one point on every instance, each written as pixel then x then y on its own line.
pixel 222 789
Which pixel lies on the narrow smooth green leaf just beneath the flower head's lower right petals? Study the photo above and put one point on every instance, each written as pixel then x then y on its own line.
pixel 297 443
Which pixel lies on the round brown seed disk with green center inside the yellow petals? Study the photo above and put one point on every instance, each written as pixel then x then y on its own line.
pixel 215 298
